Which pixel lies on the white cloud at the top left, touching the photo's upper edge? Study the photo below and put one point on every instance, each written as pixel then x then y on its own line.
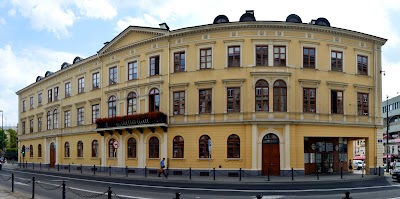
pixel 58 16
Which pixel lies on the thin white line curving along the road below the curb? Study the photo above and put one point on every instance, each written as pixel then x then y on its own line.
pixel 218 190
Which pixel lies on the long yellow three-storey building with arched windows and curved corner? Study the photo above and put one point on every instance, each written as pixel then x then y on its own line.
pixel 257 95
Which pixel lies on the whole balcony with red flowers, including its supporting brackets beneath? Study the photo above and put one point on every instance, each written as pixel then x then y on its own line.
pixel 149 120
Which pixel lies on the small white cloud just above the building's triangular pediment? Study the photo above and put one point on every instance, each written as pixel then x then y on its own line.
pixel 147 20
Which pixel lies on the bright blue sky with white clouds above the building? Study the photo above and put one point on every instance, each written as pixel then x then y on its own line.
pixel 39 35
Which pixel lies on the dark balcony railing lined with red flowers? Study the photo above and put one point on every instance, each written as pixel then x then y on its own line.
pixel 132 120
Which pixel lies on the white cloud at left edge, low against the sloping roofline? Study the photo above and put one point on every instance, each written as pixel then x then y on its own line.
pixel 20 69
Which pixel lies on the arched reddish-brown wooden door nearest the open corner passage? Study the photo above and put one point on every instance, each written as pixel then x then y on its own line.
pixel 270 155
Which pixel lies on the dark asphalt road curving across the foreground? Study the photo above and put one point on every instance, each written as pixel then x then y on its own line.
pixel 49 186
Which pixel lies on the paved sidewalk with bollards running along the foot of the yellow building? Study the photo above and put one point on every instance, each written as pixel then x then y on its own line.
pixel 219 177
